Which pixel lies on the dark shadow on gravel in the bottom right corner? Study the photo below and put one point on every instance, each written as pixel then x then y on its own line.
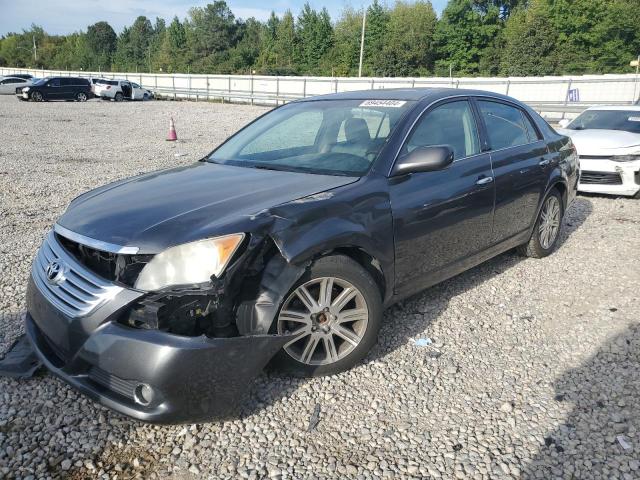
pixel 599 438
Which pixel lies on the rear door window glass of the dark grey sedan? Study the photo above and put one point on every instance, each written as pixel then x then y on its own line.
pixel 505 125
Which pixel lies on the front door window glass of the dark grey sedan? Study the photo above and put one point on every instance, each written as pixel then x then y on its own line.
pixel 450 124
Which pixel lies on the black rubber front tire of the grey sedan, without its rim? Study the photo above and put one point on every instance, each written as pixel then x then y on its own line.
pixel 346 269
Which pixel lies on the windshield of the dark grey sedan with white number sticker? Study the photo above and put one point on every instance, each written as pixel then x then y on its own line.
pixel 334 137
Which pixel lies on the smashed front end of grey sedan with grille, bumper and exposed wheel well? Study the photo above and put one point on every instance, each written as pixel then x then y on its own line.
pixel 174 355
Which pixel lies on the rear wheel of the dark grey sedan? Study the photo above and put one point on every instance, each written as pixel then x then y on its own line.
pixel 546 232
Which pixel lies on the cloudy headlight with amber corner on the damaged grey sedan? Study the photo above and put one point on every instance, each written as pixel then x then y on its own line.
pixel 189 263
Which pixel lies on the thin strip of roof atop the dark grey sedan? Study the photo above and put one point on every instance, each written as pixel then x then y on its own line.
pixel 405 94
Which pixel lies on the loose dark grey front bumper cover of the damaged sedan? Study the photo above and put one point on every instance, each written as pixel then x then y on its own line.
pixel 191 379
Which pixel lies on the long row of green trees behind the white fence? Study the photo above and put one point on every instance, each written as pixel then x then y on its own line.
pixel 470 38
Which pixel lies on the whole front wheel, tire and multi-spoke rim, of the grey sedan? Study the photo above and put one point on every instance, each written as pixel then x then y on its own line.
pixel 334 313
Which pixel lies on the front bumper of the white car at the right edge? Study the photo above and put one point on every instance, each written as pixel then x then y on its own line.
pixel 609 177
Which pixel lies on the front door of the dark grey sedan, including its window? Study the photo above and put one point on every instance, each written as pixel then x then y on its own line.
pixel 440 218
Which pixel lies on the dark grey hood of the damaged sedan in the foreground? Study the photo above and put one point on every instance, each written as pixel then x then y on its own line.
pixel 169 207
